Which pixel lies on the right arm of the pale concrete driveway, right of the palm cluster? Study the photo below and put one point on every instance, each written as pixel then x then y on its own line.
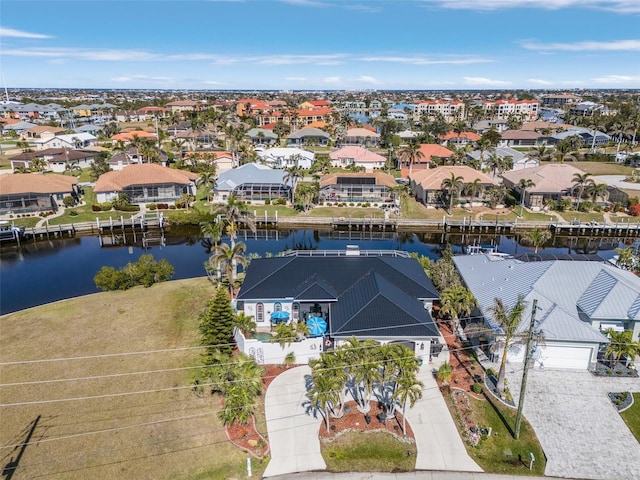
pixel 438 442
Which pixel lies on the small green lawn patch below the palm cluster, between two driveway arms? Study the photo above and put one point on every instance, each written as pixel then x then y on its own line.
pixel 368 452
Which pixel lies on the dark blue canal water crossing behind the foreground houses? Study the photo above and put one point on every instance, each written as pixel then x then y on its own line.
pixel 49 270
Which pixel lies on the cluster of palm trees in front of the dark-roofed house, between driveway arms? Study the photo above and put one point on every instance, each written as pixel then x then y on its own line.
pixel 365 370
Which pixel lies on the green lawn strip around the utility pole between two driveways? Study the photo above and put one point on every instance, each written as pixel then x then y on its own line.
pixel 490 452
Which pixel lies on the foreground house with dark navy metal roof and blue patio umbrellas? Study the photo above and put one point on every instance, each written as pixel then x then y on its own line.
pixel 383 296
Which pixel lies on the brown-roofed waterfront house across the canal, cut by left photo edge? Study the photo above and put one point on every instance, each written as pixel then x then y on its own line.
pixel 35 192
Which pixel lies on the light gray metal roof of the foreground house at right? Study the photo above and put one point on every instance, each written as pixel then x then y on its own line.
pixel 563 290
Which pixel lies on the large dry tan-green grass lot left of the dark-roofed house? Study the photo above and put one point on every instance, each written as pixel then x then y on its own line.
pixel 144 421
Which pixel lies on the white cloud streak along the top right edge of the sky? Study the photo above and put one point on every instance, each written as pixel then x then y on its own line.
pixel 619 6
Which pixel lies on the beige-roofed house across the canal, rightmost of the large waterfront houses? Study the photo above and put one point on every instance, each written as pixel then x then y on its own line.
pixel 552 181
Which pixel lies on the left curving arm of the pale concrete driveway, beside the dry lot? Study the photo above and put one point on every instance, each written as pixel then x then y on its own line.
pixel 293 434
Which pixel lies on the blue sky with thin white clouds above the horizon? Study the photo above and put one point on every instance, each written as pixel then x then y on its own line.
pixel 321 44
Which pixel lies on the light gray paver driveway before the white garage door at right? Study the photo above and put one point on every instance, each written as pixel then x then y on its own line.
pixel 579 429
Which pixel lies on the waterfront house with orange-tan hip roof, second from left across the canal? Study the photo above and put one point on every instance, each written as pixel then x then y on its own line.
pixel 145 183
